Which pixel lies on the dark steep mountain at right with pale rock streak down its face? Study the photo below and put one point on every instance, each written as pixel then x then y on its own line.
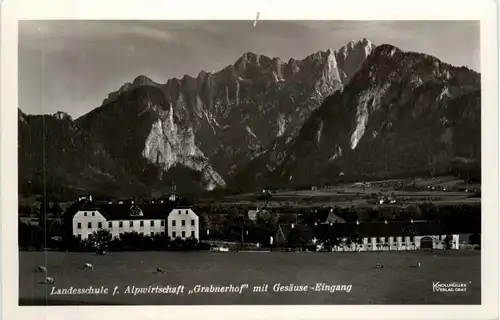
pixel 402 114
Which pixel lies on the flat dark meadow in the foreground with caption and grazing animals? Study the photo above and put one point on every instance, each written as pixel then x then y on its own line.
pixel 397 283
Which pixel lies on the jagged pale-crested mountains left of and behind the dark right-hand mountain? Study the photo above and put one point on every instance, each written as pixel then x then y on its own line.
pixel 196 131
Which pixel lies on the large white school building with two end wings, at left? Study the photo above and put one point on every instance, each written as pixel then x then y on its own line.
pixel 149 218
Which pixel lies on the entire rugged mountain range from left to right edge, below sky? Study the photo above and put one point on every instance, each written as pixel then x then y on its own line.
pixel 359 112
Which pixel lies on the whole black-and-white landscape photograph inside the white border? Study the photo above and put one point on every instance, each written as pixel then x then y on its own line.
pixel 249 162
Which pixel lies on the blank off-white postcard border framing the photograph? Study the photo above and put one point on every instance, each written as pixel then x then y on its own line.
pixel 485 11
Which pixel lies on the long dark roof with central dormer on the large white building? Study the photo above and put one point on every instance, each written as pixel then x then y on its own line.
pixel 131 211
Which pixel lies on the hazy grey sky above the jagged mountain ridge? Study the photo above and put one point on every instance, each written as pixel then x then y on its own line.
pixel 73 65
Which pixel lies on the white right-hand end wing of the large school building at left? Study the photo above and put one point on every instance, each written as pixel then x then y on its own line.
pixel 184 223
